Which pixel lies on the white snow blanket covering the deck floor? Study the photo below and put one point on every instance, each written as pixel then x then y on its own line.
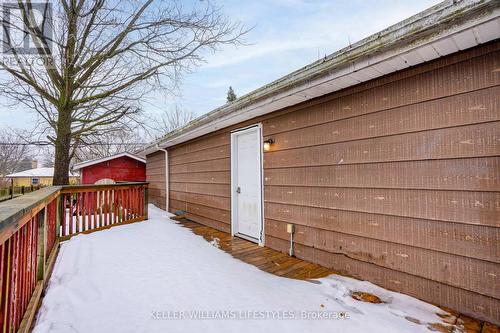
pixel 156 276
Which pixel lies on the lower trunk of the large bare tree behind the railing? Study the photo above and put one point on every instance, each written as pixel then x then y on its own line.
pixel 62 148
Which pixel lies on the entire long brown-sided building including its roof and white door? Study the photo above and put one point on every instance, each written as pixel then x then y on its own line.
pixel 384 156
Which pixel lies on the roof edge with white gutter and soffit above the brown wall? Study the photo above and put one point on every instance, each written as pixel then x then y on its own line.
pixel 446 28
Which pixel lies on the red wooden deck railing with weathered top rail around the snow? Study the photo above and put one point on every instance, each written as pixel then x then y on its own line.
pixel 32 226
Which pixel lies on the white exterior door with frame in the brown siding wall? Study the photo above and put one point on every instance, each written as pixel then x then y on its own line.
pixel 246 183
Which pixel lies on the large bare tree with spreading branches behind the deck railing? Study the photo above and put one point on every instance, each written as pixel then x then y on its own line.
pixel 96 61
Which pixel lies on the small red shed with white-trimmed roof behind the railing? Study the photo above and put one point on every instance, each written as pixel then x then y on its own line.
pixel 122 167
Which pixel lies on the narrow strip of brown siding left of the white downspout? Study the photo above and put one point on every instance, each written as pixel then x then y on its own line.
pixel 155 175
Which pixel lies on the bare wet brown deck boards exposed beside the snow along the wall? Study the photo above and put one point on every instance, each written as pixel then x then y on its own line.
pixel 281 264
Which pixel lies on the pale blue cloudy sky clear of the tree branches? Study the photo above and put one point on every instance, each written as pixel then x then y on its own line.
pixel 287 35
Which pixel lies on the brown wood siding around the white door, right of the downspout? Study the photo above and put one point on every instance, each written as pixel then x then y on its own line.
pixel 396 181
